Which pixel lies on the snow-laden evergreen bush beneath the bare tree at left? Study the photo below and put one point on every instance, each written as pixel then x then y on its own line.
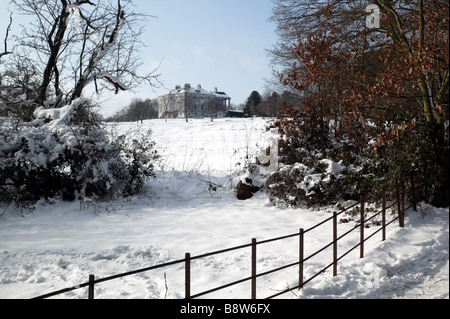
pixel 65 152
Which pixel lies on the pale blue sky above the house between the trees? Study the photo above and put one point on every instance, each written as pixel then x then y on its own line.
pixel 215 43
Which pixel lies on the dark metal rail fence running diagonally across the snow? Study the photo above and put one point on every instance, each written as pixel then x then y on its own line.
pixel 399 202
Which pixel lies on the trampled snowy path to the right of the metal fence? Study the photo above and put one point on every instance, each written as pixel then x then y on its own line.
pixel 412 263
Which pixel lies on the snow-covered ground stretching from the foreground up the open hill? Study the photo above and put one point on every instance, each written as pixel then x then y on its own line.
pixel 191 207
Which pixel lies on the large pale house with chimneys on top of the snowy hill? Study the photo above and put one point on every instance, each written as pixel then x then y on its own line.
pixel 189 102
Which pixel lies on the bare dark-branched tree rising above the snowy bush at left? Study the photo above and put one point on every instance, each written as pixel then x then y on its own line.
pixel 83 42
